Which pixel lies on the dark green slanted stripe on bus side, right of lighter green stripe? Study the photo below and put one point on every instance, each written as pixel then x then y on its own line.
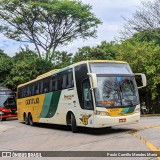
pixel 53 104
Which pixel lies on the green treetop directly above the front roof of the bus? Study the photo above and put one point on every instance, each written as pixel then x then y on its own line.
pixel 104 51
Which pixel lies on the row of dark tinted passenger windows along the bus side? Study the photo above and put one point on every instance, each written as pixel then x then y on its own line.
pixel 55 82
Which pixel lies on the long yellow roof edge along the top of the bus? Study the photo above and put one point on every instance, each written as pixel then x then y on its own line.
pixel 72 65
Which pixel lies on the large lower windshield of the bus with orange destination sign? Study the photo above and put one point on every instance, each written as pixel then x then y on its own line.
pixel 116 91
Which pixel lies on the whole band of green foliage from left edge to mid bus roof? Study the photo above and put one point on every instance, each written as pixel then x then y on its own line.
pixel 26 66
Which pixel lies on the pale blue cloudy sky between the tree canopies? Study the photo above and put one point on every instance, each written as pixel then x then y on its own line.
pixel 110 12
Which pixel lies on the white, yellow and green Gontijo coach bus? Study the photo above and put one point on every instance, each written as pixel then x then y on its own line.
pixel 96 94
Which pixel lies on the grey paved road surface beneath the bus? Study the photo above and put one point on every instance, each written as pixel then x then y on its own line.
pixel 144 136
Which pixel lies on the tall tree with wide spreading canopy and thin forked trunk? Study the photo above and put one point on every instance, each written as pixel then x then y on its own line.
pixel 48 23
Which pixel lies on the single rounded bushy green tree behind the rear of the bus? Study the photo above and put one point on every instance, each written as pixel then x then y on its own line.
pixel 27 66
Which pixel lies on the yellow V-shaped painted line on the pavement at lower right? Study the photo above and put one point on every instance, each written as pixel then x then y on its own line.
pixel 145 141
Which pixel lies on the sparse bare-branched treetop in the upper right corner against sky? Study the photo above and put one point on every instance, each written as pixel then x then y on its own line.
pixel 146 18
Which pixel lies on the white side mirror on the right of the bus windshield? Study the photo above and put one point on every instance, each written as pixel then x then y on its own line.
pixel 141 80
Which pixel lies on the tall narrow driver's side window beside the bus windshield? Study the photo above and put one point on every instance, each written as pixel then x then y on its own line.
pixel 87 97
